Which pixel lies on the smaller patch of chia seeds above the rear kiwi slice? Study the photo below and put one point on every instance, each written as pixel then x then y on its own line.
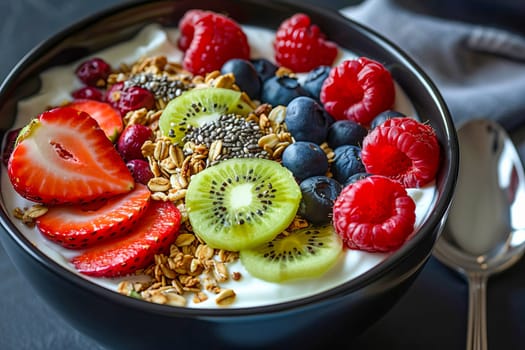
pixel 160 85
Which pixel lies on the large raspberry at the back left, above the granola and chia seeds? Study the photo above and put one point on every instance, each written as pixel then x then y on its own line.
pixel 210 40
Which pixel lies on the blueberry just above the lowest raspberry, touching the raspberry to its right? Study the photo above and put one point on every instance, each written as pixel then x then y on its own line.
pixel 347 162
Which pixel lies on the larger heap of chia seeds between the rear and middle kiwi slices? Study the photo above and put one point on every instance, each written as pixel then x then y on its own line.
pixel 239 137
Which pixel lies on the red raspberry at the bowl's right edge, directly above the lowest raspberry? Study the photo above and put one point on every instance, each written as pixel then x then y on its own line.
pixel 404 150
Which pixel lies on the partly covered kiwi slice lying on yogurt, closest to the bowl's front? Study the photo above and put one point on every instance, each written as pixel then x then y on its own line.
pixel 304 253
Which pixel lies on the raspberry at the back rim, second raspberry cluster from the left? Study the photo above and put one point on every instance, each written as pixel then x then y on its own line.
pixel 301 46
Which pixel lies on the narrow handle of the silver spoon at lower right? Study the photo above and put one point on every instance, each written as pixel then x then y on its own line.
pixel 477 316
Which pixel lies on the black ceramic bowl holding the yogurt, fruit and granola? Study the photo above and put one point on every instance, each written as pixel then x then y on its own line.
pixel 120 322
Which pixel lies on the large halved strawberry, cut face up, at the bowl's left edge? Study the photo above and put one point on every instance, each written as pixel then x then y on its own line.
pixel 64 157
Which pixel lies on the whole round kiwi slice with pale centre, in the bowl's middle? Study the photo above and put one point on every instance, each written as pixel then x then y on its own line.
pixel 242 203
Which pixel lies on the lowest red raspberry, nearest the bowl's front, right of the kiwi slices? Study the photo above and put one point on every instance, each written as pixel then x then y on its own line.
pixel 374 214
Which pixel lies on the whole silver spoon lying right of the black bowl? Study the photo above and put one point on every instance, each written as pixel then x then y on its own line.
pixel 485 230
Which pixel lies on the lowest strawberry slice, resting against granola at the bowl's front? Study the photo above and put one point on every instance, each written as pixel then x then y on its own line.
pixel 156 230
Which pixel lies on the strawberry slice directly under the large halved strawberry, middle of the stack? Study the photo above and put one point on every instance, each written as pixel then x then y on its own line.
pixel 84 225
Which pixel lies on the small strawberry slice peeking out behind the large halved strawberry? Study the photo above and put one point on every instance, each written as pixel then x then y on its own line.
pixel 107 117
